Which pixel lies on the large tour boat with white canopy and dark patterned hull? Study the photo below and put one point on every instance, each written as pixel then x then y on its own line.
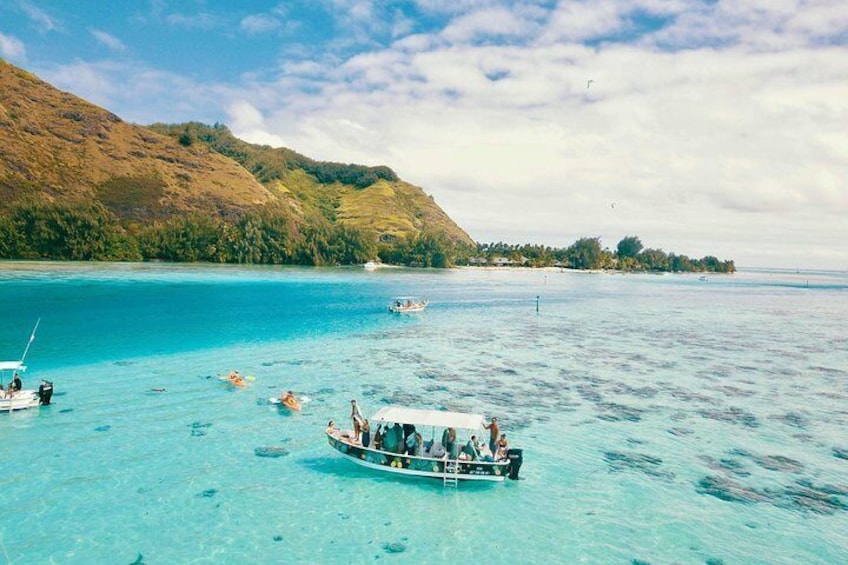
pixel 432 460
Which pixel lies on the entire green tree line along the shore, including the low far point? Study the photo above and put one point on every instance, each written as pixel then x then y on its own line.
pixel 89 231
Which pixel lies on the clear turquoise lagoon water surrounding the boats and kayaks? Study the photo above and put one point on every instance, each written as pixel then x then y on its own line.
pixel 664 419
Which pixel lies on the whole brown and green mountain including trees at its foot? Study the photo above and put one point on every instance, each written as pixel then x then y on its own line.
pixel 77 182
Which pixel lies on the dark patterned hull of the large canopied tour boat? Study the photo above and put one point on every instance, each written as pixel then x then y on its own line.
pixel 417 466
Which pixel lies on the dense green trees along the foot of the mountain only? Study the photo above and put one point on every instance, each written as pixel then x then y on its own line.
pixel 90 232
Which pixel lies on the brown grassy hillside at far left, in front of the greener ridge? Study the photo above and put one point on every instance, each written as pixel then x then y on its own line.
pixel 57 147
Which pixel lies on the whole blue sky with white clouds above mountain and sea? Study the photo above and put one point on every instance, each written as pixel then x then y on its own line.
pixel 713 127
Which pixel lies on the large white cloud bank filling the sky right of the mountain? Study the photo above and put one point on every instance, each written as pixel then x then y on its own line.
pixel 720 144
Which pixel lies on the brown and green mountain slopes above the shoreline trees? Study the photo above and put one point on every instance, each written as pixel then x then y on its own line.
pixel 58 150
